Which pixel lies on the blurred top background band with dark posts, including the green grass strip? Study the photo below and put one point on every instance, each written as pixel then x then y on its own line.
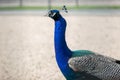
pixel 50 4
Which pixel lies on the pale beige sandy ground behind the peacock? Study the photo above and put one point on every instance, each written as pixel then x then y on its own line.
pixel 26 43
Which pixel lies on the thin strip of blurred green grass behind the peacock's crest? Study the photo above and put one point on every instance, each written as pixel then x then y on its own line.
pixel 59 7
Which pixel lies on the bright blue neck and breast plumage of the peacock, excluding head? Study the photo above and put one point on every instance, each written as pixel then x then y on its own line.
pixel 63 53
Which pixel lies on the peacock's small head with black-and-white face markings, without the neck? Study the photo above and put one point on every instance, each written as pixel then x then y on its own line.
pixel 54 14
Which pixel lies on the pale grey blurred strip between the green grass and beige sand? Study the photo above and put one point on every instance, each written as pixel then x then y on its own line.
pixel 95 12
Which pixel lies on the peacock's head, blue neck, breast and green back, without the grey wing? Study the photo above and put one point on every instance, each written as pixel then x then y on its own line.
pixel 63 53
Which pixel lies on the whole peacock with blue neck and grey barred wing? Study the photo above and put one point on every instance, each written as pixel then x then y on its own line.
pixel 80 64
